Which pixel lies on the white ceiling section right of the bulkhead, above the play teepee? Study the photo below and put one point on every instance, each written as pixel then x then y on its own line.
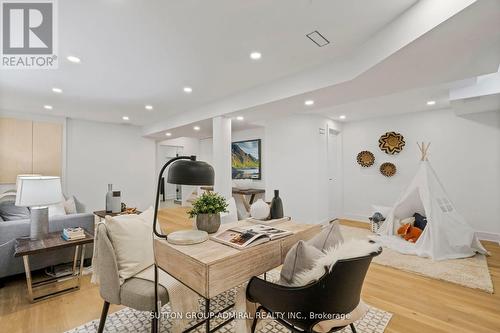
pixel 451 55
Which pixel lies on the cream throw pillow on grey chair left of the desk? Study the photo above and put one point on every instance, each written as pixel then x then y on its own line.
pixel 132 239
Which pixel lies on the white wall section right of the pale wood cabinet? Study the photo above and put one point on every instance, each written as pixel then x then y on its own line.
pixel 101 153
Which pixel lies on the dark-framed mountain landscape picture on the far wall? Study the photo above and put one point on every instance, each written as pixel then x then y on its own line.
pixel 246 159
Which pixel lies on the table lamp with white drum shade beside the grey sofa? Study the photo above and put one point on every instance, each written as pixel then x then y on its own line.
pixel 37 192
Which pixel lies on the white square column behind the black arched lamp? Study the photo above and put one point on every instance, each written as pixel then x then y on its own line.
pixel 221 128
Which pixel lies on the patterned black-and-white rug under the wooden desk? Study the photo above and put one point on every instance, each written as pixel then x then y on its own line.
pixel 129 320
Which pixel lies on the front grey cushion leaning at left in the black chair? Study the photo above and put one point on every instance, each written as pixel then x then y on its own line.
pixel 299 258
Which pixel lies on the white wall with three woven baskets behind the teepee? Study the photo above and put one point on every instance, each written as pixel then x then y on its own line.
pixel 465 152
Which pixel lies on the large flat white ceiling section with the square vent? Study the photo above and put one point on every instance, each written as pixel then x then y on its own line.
pixel 143 52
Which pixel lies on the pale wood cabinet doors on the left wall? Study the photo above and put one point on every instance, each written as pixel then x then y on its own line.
pixel 29 147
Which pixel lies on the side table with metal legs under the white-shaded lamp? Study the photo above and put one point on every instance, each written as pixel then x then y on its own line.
pixel 50 287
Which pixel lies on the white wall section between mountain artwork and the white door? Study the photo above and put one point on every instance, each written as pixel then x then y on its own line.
pixel 296 164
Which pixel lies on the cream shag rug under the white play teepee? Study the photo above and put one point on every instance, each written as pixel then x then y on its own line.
pixel 470 272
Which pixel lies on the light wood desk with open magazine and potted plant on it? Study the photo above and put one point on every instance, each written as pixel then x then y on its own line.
pixel 211 268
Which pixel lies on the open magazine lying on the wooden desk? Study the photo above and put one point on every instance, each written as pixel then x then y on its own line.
pixel 248 236
